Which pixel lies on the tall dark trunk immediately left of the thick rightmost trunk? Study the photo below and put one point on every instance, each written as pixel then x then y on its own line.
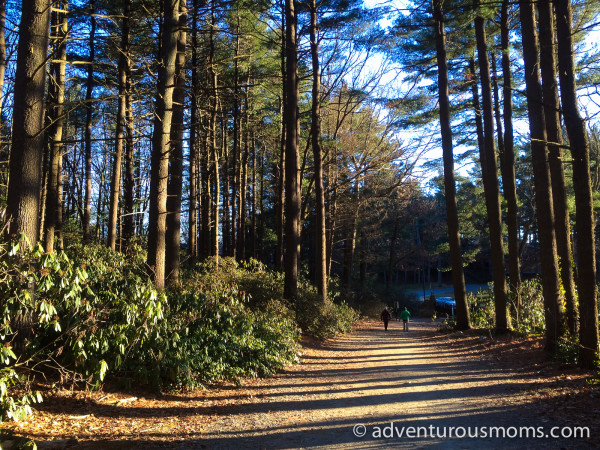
pixel 562 224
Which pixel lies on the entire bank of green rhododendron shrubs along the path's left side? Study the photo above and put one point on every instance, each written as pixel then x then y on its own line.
pixel 79 316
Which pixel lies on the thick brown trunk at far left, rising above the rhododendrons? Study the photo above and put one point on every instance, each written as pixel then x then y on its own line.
pixel 28 121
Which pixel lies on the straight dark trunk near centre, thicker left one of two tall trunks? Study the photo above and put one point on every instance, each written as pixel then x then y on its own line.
pixel 292 157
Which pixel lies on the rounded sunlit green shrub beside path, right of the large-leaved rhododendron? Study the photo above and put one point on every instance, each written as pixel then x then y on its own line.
pixel 220 337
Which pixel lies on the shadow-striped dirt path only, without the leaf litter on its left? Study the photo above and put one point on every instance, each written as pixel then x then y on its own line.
pixel 349 394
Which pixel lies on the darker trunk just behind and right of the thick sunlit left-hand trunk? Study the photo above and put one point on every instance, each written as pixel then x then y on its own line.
pixel 175 186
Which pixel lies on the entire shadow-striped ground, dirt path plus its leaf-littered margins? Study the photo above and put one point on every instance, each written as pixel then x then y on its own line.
pixel 363 390
